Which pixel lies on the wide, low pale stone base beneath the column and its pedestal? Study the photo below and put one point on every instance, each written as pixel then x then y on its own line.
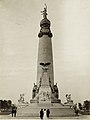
pixel 56 110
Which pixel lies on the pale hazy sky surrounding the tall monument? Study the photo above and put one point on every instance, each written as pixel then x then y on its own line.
pixel 19 28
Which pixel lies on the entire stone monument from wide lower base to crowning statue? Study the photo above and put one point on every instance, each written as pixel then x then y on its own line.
pixel 45 94
